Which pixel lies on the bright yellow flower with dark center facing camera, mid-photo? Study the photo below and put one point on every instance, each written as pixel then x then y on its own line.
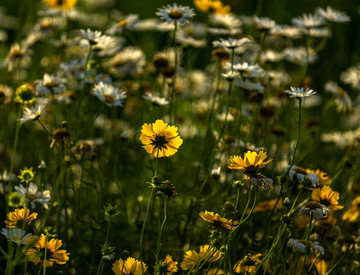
pixel 160 139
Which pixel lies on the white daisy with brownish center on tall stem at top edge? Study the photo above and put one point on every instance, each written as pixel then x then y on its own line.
pixel 175 13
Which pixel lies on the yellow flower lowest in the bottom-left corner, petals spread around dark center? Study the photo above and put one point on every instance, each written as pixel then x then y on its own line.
pixel 36 254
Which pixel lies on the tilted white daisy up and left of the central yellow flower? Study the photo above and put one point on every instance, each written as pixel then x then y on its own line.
pixel 109 94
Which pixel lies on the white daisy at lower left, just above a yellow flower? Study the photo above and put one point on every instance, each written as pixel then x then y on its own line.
pixel 33 195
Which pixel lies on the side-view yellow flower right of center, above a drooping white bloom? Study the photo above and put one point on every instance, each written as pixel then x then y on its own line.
pixel 251 162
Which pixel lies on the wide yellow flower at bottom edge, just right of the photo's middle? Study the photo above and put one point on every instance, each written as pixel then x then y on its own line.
pixel 206 253
